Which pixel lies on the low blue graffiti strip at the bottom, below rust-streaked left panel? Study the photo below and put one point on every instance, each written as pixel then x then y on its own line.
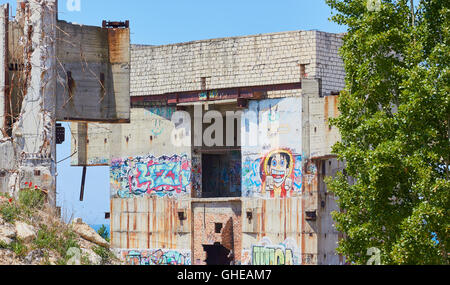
pixel 156 257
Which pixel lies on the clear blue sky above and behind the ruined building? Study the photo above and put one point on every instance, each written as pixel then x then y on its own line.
pixel 159 22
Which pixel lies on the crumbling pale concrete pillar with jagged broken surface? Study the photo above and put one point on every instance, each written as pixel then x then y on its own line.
pixel 35 130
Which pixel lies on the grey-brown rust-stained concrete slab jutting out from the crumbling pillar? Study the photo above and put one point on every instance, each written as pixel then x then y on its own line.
pixel 93 73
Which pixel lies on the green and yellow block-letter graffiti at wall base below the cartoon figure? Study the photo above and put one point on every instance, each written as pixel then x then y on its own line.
pixel 267 254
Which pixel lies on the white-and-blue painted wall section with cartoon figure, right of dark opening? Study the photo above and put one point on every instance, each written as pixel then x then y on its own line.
pixel 271 128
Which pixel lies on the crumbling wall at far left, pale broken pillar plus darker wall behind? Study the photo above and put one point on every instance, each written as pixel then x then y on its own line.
pixel 30 151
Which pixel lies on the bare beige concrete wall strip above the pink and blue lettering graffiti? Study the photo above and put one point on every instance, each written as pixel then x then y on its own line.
pixel 150 132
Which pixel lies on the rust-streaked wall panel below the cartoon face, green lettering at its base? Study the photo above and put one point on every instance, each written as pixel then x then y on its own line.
pixel 275 229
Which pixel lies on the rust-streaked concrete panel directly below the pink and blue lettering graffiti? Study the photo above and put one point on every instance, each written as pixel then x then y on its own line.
pixel 144 223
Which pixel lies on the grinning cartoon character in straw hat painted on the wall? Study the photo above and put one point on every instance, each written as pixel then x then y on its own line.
pixel 278 167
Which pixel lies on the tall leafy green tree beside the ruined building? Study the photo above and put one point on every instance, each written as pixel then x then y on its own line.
pixel 394 123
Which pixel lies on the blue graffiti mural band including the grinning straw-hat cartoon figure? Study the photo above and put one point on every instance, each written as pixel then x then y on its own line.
pixel 276 175
